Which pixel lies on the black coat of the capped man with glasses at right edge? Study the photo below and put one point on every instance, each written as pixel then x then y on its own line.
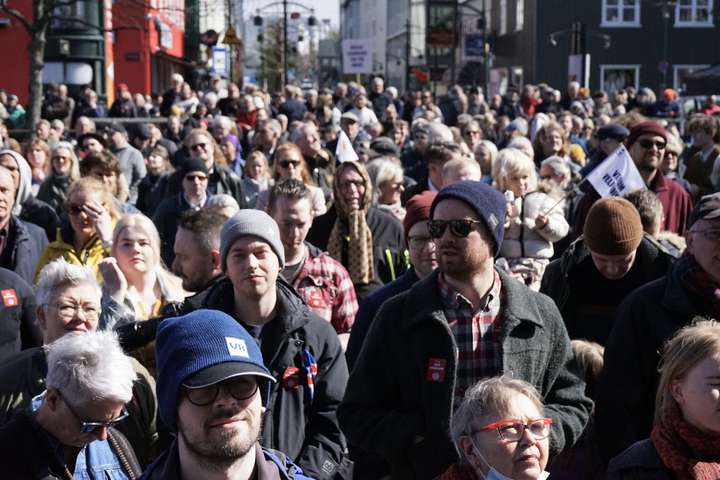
pixel 646 320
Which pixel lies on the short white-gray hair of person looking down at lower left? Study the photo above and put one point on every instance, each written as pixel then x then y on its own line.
pixel 88 367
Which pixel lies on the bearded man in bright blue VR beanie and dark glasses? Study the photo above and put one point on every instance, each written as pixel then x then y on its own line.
pixel 212 390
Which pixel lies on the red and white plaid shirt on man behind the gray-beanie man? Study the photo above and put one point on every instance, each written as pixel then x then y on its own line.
pixel 326 287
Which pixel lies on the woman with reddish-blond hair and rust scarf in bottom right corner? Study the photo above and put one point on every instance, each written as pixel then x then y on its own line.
pixel 685 440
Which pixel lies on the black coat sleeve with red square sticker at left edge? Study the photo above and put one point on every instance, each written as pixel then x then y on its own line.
pixel 18 329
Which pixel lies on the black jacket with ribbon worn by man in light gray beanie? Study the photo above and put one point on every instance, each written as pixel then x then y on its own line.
pixel 307 431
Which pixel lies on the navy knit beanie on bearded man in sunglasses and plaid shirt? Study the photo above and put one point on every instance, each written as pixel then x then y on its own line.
pixel 488 203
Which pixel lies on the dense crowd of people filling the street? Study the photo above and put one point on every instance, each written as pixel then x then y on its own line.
pixel 203 284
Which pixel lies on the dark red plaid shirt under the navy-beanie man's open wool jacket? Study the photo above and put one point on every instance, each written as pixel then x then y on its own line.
pixel 477 334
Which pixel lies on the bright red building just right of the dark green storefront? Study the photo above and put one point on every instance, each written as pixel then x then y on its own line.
pixel 149 43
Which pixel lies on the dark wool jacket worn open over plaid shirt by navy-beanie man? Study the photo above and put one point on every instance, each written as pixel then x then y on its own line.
pixel 389 402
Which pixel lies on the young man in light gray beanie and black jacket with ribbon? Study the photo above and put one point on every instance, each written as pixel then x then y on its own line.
pixel 301 350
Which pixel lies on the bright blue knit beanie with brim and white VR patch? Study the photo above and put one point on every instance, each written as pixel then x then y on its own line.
pixel 200 349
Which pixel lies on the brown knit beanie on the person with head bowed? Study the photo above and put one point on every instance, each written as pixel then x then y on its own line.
pixel 613 227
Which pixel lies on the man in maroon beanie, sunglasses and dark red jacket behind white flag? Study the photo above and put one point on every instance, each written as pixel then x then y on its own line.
pixel 646 145
